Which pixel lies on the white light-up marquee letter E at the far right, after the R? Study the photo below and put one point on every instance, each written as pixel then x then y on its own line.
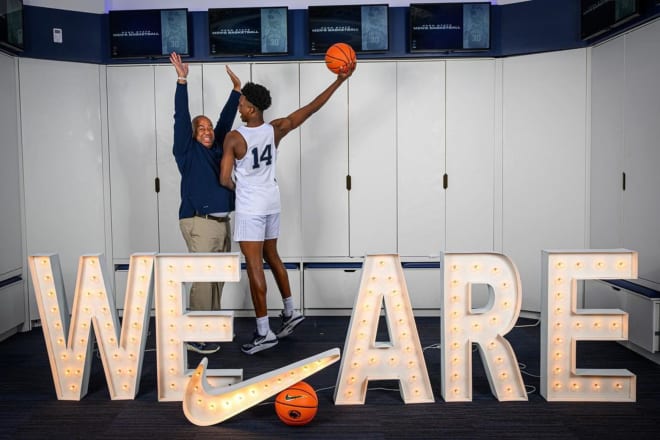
pixel 563 324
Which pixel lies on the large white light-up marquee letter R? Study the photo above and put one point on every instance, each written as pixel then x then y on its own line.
pixel 462 326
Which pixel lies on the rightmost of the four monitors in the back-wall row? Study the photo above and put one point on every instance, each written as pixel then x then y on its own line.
pixel 448 27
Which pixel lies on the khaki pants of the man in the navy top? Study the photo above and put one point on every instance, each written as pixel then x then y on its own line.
pixel 205 235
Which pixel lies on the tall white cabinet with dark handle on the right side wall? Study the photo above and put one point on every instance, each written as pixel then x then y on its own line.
pixel 624 139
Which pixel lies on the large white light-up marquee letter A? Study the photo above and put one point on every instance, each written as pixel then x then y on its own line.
pixel 402 358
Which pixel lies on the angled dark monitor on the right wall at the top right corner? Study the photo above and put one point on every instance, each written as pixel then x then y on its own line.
pixel 600 16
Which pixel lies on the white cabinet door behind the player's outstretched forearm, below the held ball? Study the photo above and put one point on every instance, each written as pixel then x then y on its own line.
pixel 324 166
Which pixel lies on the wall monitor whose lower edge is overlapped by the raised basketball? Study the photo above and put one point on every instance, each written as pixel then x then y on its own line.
pixel 364 27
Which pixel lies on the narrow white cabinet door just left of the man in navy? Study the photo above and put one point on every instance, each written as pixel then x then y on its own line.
pixel 132 144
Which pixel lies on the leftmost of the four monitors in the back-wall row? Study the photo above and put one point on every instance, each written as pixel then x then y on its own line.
pixel 148 33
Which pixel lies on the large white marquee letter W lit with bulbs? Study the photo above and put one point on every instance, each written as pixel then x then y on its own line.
pixel 69 338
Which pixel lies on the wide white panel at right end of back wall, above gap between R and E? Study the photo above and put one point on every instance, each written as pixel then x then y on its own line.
pixel 544 161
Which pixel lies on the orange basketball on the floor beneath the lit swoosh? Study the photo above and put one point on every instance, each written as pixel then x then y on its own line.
pixel 297 405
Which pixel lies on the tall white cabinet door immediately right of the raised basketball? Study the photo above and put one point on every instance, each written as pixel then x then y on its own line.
pixel 372 159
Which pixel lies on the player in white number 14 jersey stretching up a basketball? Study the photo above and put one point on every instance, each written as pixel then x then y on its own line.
pixel 250 154
